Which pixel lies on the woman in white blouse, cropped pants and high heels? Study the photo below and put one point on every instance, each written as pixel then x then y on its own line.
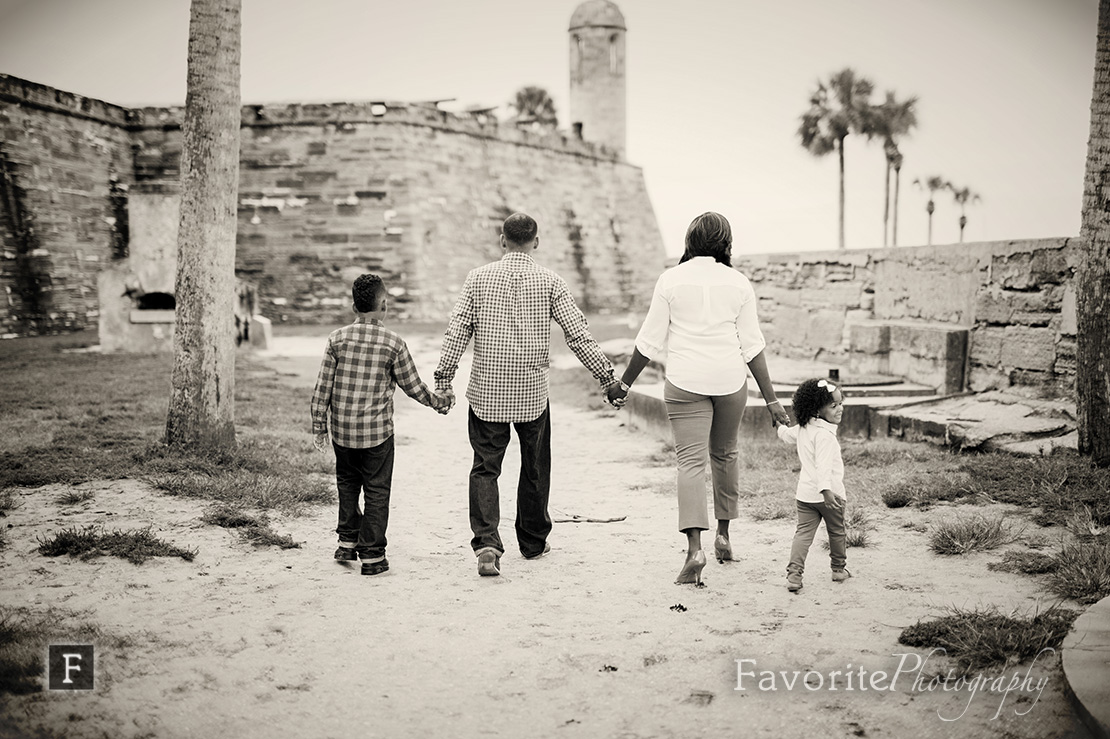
pixel 703 317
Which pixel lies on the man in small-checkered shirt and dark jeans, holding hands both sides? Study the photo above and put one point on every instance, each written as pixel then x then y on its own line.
pixel 507 308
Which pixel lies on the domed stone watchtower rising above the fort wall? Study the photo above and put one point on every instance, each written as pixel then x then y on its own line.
pixel 598 74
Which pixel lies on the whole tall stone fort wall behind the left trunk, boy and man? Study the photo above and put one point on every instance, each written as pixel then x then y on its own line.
pixel 327 193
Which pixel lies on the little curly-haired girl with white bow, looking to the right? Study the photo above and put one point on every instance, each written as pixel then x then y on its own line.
pixel 819 406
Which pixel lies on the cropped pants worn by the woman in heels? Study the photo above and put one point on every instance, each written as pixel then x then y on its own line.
pixel 707 429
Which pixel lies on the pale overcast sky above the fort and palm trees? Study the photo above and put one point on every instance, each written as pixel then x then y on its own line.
pixel 715 92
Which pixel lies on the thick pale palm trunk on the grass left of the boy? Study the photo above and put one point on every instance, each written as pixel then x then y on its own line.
pixel 204 383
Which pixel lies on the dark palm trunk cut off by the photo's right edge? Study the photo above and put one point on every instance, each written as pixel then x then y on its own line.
pixel 1093 274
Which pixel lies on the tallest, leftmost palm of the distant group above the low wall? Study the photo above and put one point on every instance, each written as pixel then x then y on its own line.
pixel 836 110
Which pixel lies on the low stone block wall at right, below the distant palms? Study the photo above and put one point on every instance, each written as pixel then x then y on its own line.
pixel 1015 300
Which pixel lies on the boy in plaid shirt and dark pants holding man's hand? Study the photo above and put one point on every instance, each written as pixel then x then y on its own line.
pixel 362 367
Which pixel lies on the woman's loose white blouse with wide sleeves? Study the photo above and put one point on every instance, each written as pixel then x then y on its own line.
pixel 703 317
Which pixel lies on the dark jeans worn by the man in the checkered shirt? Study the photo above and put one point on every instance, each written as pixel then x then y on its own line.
pixel 490 442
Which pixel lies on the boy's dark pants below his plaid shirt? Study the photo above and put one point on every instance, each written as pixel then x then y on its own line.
pixel 369 472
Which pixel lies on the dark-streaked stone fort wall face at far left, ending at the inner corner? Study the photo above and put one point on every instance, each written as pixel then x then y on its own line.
pixel 66 166
